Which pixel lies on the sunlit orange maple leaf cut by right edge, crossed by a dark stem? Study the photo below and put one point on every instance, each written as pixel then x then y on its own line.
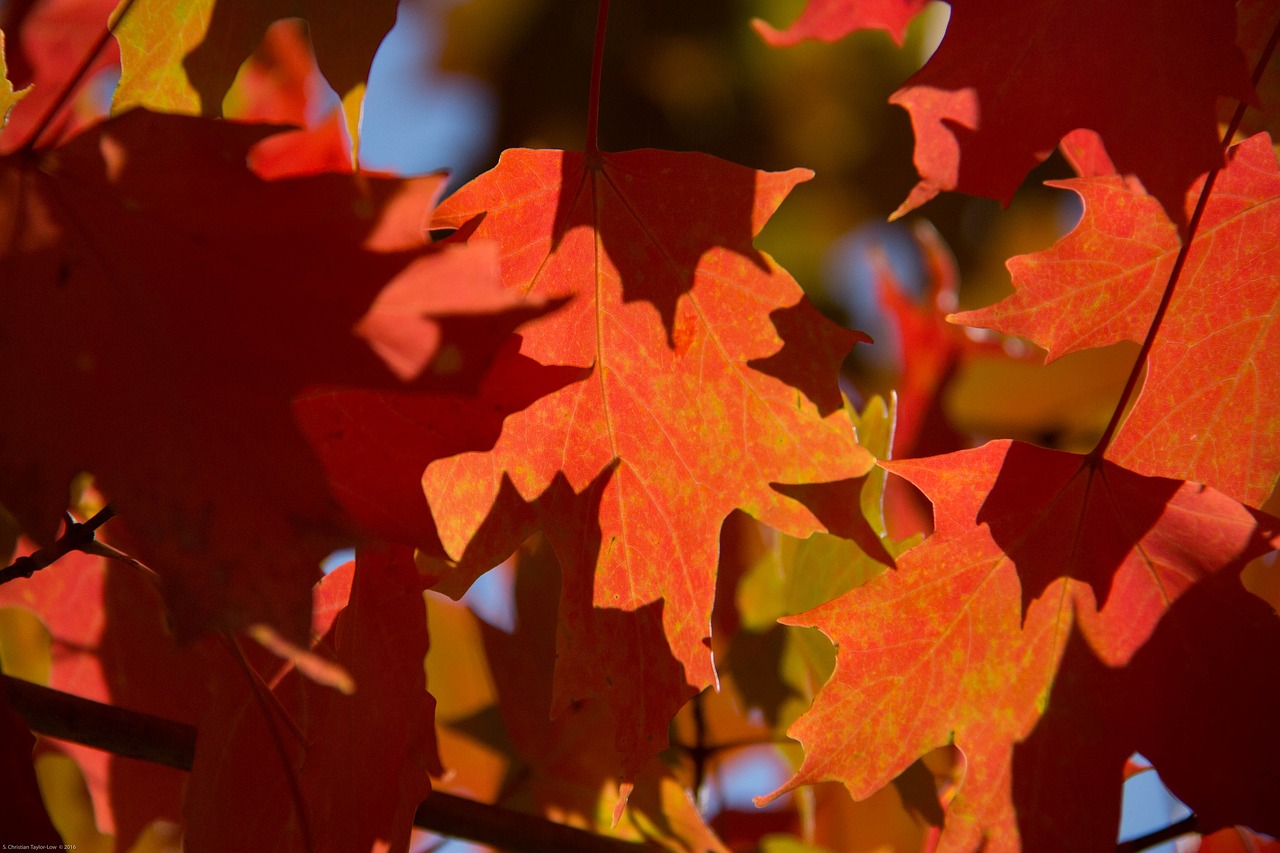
pixel 1204 413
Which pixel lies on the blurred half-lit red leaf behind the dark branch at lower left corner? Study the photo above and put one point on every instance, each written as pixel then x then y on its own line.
pixel 111 644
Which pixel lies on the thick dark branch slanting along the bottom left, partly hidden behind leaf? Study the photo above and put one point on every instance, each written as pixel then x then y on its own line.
pixel 173 745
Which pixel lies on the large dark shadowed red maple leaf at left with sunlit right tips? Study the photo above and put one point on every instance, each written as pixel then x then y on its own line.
pixel 173 307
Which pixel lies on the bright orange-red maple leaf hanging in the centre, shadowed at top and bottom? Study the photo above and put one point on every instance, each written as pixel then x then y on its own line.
pixel 685 330
